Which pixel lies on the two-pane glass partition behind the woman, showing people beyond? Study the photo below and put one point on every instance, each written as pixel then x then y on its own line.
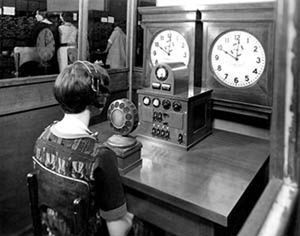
pixel 40 37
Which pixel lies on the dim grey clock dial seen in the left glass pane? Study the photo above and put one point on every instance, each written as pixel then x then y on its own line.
pixel 45 44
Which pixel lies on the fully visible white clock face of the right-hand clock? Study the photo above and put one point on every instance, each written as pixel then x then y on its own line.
pixel 237 59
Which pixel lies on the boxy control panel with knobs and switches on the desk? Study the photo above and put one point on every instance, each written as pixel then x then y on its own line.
pixel 178 120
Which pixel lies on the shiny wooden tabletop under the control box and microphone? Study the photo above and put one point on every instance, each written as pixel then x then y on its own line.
pixel 208 180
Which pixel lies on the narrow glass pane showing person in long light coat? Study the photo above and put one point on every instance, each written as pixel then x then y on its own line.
pixel 107 35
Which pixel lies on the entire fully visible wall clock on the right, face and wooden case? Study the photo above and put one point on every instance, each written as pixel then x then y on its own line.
pixel 238 49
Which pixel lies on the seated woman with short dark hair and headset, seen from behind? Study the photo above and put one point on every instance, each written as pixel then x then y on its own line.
pixel 81 89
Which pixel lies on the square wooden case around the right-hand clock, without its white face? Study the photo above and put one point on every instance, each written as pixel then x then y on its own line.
pixel 257 19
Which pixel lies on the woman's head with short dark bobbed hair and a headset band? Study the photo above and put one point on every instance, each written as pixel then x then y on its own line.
pixel 80 85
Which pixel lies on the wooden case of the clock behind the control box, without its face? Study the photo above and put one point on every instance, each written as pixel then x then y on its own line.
pixel 187 23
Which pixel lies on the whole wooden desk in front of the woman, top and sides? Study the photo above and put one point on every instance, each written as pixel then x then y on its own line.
pixel 208 190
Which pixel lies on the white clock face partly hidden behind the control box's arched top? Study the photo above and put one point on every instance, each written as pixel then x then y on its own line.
pixel 169 46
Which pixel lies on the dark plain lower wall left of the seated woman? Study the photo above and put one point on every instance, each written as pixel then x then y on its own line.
pixel 17 135
